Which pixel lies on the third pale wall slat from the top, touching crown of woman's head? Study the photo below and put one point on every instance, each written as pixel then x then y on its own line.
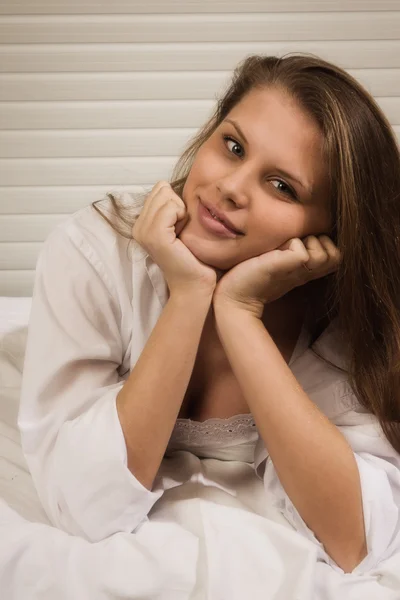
pixel 194 57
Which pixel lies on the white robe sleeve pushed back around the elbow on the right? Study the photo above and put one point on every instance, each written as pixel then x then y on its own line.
pixel 379 469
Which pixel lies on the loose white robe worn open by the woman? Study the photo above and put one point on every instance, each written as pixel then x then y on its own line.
pixel 95 303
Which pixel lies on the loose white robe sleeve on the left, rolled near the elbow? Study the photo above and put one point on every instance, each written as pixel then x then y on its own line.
pixel 69 426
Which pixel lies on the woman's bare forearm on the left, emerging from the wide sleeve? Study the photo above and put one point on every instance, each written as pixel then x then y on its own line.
pixel 149 403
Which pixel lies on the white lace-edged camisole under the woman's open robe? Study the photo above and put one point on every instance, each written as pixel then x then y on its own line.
pixel 225 439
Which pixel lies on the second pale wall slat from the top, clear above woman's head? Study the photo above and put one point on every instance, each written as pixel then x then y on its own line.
pixel 200 28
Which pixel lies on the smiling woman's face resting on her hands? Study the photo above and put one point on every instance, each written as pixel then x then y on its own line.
pixel 263 169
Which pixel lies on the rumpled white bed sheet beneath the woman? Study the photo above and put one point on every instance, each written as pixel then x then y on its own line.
pixel 205 539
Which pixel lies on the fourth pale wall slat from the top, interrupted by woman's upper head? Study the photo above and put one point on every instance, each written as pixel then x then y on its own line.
pixel 150 86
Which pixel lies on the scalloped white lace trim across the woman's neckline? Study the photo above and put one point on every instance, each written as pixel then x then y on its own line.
pixel 238 428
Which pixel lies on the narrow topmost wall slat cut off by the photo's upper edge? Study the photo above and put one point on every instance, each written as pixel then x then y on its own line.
pixel 68 7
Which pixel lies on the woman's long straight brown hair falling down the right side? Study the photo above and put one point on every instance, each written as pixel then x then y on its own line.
pixel 363 164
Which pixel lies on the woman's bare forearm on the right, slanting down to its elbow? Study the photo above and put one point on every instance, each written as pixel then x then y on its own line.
pixel 313 460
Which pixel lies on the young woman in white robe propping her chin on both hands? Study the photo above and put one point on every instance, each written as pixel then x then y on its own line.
pixel 256 319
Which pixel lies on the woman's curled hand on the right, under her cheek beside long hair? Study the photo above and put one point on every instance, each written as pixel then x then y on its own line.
pixel 260 280
